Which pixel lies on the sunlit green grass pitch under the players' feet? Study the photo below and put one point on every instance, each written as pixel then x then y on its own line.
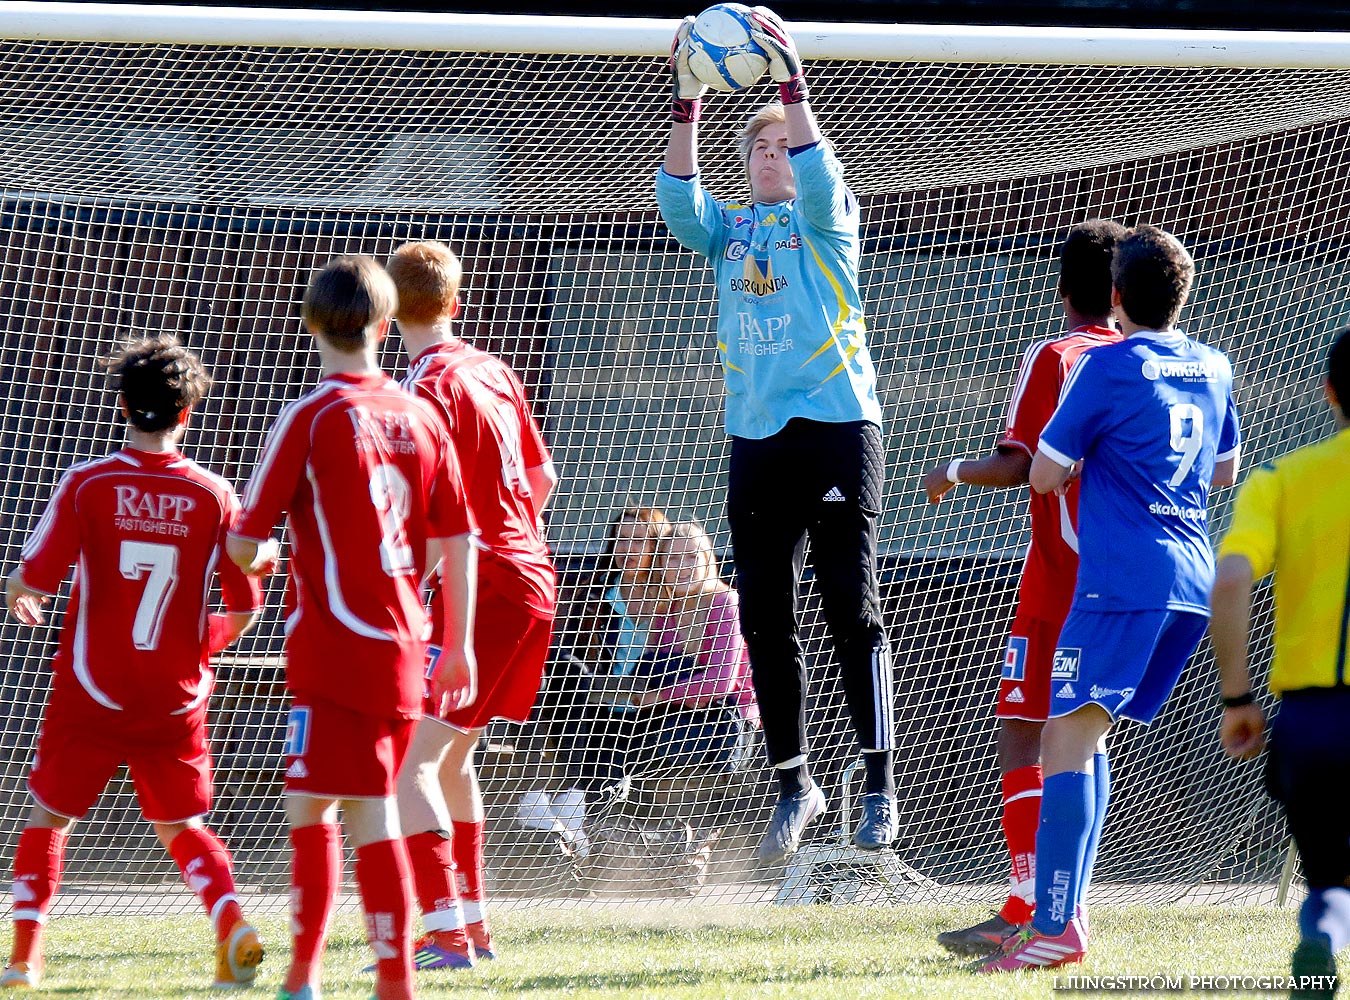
pixel 815 953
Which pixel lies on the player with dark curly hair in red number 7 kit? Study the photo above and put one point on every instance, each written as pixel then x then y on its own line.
pixel 145 530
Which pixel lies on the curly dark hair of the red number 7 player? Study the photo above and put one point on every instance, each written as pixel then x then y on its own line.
pixel 157 379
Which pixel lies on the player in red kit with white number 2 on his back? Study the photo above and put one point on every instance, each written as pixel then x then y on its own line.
pixel 369 480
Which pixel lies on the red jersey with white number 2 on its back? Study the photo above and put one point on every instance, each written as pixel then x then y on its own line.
pixel 368 476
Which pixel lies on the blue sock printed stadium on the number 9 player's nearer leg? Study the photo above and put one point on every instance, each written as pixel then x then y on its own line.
pixel 1060 843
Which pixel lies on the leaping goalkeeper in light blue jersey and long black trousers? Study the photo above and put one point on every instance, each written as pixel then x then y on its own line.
pixel 804 418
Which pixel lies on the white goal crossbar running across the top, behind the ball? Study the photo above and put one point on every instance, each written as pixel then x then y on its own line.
pixel 942 44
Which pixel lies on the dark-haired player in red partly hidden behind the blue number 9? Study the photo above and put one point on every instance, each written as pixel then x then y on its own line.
pixel 1052 562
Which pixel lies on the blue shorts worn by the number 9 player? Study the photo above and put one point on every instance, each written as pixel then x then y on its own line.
pixel 1127 662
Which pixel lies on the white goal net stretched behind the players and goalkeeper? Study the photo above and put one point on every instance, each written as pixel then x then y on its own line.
pixel 194 186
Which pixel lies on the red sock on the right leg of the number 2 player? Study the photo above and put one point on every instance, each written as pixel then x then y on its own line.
pixel 387 895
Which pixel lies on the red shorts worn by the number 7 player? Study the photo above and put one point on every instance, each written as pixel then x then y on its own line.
pixel 169 765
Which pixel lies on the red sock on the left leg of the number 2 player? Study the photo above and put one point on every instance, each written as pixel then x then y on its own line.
pixel 315 874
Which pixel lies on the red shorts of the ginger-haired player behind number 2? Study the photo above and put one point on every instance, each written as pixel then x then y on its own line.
pixel 511 644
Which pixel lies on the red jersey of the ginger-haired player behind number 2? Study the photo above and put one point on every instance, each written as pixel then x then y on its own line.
pixel 496 441
